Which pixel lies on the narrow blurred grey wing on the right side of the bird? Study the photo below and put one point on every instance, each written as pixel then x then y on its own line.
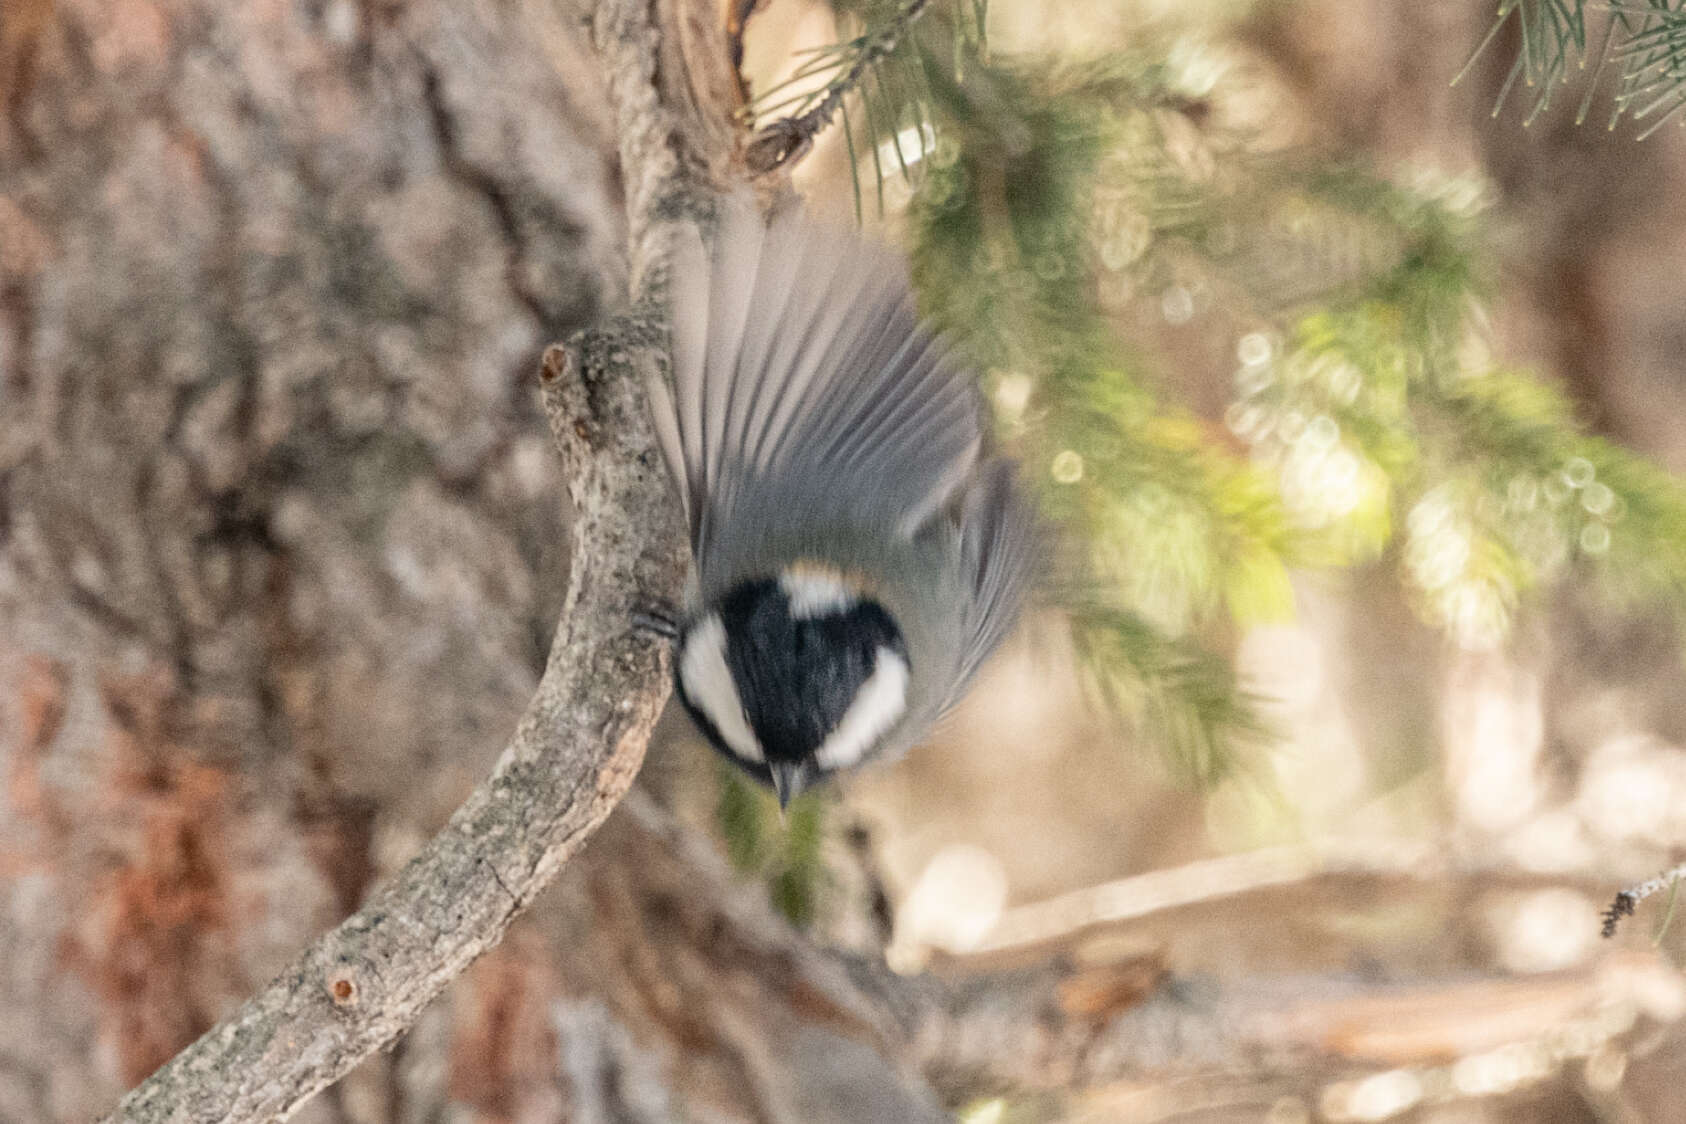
pixel 1001 557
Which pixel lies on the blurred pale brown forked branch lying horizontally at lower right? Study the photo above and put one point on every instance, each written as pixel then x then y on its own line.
pixel 1060 1015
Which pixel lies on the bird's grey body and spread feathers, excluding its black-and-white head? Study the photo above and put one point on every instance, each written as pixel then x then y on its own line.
pixel 813 419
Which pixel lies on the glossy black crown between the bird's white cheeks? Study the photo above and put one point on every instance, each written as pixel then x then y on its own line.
pixel 798 677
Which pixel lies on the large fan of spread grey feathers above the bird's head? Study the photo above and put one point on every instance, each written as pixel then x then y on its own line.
pixel 805 382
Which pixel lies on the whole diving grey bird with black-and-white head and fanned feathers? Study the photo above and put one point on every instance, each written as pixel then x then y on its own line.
pixel 857 549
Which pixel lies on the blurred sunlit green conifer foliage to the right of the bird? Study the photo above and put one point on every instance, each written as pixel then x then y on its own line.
pixel 1370 419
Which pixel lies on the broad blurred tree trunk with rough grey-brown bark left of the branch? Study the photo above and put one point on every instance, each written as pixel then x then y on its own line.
pixel 282 537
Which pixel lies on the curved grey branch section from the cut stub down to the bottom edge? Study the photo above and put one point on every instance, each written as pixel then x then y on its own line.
pixel 571 761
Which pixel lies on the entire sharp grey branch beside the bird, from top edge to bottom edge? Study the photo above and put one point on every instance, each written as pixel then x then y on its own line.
pixel 583 739
